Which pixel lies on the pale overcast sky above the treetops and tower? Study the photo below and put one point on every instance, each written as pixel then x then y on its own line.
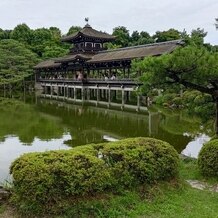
pixel 146 15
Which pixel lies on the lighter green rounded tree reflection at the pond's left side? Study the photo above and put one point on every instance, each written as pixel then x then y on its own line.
pixel 27 123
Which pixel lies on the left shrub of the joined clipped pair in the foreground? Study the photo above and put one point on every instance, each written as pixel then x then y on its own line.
pixel 44 179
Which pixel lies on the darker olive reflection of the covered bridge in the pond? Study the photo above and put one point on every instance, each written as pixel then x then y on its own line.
pixel 89 124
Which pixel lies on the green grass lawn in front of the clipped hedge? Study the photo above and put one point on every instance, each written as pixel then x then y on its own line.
pixel 159 202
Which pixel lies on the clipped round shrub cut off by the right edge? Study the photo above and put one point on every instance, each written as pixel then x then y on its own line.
pixel 208 159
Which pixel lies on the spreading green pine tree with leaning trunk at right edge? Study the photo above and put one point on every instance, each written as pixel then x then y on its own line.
pixel 191 66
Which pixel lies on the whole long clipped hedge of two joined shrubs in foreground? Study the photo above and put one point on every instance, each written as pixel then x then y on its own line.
pixel 42 180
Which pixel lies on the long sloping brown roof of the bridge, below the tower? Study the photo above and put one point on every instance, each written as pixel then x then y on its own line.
pixel 121 54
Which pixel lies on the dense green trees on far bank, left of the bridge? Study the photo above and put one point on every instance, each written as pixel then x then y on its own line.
pixel 22 48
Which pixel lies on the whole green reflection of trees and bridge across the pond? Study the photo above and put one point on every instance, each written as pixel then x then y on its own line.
pixel 50 119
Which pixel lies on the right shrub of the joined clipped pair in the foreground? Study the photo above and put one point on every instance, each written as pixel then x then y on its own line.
pixel 140 160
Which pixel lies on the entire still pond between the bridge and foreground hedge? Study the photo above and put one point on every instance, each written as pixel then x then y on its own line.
pixel 40 125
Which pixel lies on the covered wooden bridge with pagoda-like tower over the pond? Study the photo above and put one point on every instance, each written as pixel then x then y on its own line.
pixel 91 73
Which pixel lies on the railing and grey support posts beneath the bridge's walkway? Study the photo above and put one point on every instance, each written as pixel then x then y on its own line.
pixel 111 93
